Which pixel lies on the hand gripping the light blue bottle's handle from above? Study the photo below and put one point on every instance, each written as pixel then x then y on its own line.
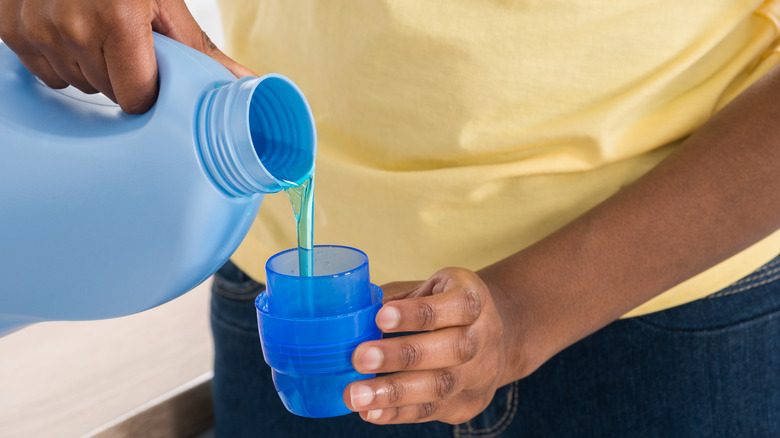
pixel 101 45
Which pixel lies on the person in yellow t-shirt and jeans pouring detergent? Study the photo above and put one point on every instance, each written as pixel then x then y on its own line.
pixel 603 175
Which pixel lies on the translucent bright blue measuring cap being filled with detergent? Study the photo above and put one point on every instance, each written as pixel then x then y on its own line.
pixel 311 355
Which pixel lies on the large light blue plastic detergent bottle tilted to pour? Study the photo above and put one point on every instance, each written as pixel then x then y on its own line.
pixel 104 214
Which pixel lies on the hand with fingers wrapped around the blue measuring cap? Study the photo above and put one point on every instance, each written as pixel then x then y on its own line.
pixel 450 371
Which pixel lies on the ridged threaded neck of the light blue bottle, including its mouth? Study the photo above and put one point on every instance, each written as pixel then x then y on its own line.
pixel 257 135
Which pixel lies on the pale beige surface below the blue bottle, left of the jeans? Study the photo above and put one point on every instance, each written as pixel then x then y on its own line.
pixel 70 379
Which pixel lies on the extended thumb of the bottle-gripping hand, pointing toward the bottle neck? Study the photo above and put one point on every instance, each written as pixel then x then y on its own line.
pixel 175 21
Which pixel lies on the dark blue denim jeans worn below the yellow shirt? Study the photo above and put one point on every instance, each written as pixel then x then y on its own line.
pixel 710 368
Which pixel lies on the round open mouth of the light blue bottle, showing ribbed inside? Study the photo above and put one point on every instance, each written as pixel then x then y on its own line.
pixel 281 129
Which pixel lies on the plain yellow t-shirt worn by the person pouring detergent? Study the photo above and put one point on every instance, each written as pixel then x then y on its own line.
pixel 455 133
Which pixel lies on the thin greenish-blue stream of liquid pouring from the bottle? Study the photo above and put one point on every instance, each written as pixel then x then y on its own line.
pixel 302 198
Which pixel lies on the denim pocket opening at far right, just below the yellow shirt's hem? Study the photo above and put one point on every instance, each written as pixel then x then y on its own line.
pixel 747 301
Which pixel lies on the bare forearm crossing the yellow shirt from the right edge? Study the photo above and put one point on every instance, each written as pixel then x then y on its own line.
pixel 716 195
